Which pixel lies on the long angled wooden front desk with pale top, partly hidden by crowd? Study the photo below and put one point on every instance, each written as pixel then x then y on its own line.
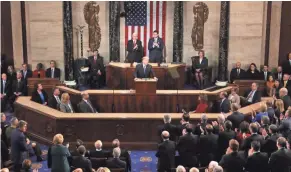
pixel 134 130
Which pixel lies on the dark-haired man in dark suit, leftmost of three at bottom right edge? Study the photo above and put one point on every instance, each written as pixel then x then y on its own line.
pixel 231 161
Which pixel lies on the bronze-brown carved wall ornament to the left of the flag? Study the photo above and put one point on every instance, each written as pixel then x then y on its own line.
pixel 91 11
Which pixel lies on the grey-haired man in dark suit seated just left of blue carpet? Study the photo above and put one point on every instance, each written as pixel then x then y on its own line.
pixel 115 162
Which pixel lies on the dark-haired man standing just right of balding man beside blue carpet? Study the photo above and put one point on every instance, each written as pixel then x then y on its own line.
pixel 187 147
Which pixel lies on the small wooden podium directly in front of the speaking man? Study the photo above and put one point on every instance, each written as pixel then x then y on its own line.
pixel 145 86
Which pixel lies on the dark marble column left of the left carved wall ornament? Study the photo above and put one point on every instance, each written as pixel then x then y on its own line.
pixel 68 40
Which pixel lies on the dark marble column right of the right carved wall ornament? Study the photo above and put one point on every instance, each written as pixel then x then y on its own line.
pixel 223 41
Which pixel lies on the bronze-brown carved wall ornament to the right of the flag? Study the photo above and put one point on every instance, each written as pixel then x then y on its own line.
pixel 201 12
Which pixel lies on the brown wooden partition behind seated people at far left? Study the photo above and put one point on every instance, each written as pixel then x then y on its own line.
pixel 47 83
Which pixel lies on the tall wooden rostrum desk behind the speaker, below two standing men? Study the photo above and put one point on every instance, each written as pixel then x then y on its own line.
pixel 121 76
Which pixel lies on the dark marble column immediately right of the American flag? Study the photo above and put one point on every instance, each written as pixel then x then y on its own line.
pixel 178 32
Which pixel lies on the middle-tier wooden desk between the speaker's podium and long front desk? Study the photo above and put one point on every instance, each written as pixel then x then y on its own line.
pixel 127 101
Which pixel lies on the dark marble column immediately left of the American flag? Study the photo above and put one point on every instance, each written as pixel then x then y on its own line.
pixel 114 31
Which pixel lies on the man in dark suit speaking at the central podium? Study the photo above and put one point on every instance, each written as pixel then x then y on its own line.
pixel 144 70
